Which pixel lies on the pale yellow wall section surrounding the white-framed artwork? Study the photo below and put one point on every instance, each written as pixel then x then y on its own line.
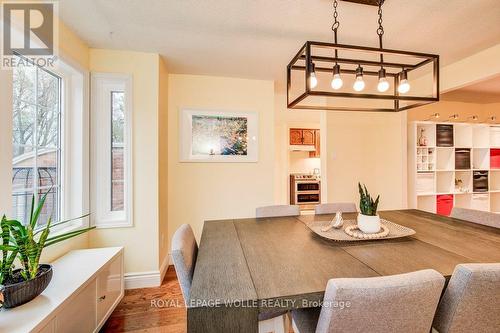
pixel 206 191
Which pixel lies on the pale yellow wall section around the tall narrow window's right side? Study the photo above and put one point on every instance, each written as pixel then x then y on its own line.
pixel 141 240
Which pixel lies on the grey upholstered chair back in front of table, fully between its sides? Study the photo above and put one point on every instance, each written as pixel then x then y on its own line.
pixel 397 303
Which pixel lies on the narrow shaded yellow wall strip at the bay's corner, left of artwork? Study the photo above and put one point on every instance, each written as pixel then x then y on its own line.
pixel 163 161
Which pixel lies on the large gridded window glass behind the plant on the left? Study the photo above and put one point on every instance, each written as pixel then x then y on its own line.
pixel 36 140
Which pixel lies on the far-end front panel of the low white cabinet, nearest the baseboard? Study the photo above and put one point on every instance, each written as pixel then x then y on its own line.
pixel 109 287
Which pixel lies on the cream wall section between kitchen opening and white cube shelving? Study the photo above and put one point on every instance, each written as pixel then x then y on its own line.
pixel 369 148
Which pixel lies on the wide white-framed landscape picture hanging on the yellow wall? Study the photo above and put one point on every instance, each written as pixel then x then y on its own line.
pixel 218 136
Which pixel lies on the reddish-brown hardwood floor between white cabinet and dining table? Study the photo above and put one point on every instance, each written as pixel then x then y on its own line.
pixel 151 310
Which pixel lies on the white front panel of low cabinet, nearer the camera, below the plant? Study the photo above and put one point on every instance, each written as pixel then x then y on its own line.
pixel 79 315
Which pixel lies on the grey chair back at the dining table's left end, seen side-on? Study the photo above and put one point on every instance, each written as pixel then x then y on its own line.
pixel 184 252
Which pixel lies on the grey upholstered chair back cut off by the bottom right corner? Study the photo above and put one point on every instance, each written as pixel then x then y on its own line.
pixel 471 302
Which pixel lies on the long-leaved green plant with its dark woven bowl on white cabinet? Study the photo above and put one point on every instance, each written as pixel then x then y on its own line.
pixel 26 243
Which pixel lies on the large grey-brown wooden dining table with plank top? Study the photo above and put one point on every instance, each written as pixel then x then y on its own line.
pixel 255 265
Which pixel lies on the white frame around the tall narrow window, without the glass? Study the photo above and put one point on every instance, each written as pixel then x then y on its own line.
pixel 102 85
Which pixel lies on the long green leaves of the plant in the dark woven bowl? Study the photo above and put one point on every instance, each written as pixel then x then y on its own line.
pixel 27 243
